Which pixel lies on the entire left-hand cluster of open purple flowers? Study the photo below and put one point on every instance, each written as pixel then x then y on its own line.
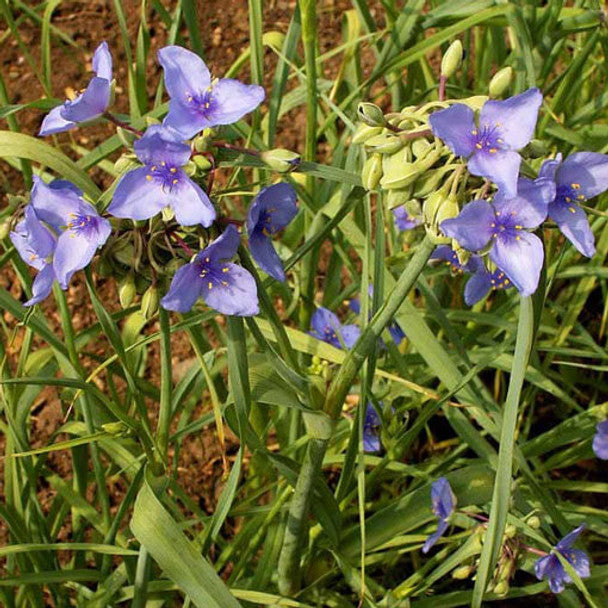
pixel 61 232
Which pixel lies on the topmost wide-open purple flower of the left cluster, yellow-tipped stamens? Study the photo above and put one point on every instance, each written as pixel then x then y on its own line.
pixel 197 100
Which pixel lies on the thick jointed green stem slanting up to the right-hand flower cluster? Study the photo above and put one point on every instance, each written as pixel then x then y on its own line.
pixel 289 559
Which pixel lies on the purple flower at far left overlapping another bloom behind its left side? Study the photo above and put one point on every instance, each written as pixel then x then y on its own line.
pixel 80 228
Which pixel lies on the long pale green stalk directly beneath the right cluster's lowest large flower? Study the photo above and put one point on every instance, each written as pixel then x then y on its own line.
pixel 503 480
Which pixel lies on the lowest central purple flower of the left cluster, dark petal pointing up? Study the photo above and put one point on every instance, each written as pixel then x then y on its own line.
pixel 226 287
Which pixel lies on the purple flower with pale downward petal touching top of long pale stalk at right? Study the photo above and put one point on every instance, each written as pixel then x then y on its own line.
pixel 502 226
